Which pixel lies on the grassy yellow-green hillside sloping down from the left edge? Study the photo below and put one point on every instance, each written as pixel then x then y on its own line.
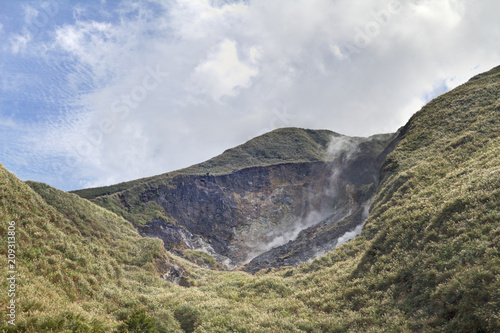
pixel 79 267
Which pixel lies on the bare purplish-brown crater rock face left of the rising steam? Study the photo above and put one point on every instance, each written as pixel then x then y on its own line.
pixel 242 214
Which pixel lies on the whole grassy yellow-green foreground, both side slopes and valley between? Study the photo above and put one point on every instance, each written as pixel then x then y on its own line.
pixel 427 258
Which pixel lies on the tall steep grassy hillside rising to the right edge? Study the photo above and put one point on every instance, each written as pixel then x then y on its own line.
pixel 434 227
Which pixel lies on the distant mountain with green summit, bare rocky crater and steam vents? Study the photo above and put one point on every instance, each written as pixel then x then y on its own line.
pixel 256 197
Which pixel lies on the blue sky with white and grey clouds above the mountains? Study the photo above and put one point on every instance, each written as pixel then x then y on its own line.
pixel 96 92
